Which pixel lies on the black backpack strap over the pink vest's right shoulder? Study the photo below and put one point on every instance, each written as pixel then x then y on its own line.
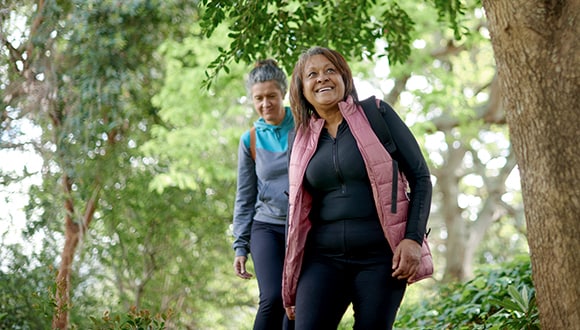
pixel 373 108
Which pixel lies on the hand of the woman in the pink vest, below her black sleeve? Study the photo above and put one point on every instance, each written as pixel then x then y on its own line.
pixel 406 259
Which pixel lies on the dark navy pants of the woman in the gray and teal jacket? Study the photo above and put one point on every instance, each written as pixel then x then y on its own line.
pixel 267 247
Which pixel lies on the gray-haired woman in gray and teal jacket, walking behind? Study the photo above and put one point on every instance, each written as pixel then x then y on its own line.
pixel 261 203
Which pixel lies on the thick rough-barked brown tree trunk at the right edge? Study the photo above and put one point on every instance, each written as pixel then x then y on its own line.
pixel 537 53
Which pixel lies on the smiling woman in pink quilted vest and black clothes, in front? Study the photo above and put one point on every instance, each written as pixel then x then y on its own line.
pixel 354 235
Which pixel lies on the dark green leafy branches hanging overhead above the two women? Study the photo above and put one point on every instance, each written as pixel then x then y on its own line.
pixel 286 28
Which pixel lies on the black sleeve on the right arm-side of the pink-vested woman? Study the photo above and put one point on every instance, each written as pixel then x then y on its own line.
pixel 414 166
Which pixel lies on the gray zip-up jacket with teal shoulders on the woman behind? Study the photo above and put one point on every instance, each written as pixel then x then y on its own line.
pixel 262 183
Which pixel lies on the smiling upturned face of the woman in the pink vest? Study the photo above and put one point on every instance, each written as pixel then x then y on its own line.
pixel 323 85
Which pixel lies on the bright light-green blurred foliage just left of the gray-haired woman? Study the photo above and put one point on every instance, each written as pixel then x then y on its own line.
pixel 198 137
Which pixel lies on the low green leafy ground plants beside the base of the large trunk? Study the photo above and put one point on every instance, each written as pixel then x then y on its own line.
pixel 500 297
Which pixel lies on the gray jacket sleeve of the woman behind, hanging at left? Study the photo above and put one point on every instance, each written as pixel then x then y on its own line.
pixel 245 201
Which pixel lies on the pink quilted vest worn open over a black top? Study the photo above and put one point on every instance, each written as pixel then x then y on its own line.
pixel 380 170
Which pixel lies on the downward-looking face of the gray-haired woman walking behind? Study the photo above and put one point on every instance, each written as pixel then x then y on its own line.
pixel 268 101
